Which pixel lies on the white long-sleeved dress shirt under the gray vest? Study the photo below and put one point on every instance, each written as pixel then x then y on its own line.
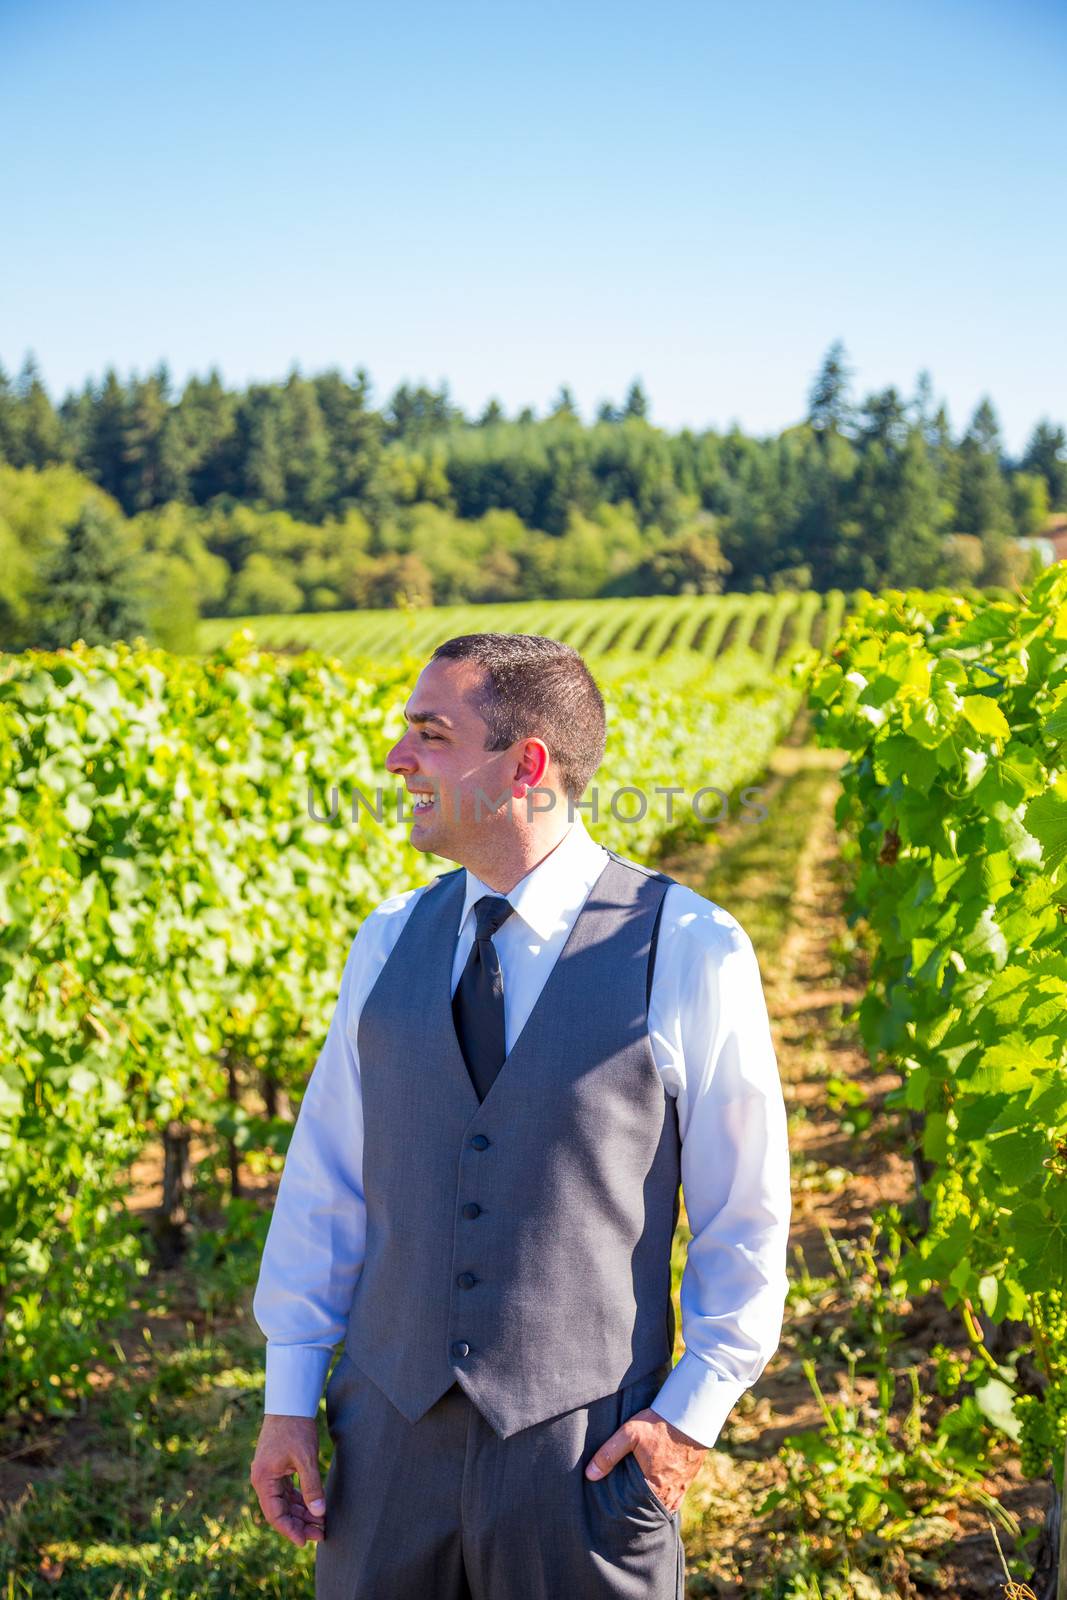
pixel 711 1041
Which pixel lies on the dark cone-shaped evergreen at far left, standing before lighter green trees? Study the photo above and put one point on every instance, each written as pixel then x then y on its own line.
pixel 89 588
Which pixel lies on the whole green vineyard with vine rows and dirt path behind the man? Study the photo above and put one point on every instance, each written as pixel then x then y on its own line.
pixel 177 902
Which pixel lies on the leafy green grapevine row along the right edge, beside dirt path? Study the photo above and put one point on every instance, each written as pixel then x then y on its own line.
pixel 953 714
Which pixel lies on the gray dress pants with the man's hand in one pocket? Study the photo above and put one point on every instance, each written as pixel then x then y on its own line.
pixel 444 1510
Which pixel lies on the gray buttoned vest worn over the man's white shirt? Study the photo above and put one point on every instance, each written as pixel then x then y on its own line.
pixel 519 1246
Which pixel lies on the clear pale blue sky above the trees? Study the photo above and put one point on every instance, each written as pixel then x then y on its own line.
pixel 511 198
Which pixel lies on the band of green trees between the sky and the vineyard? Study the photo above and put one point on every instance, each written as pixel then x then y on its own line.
pixel 303 495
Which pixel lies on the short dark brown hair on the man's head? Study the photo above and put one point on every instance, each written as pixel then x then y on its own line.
pixel 537 689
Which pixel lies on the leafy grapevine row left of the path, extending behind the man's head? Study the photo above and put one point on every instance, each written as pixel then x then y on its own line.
pixel 174 943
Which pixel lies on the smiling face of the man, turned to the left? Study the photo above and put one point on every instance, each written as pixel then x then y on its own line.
pixel 444 764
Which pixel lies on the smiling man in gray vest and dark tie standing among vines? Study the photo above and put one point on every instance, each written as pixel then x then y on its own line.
pixel 527 1058
